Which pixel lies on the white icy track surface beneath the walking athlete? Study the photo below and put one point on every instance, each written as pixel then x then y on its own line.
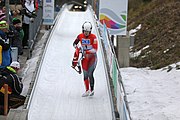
pixel 58 91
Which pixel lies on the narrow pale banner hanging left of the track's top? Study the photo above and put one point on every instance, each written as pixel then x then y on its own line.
pixel 48 12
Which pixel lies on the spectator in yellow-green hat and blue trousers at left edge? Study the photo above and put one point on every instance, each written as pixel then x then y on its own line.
pixel 4 42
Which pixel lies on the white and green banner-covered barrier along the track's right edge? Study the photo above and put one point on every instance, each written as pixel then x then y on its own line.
pixel 118 90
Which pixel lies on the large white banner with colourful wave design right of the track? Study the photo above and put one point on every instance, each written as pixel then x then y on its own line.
pixel 114 14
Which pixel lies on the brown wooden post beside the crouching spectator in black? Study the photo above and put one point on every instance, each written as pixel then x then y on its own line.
pixel 5 99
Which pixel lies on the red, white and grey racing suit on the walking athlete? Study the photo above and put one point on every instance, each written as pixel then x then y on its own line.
pixel 89 62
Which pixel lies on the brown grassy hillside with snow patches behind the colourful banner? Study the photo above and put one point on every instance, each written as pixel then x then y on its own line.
pixel 160 32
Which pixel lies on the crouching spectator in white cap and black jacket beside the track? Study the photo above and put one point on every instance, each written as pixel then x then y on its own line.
pixel 9 76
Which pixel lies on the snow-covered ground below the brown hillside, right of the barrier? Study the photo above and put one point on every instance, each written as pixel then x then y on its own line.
pixel 152 94
